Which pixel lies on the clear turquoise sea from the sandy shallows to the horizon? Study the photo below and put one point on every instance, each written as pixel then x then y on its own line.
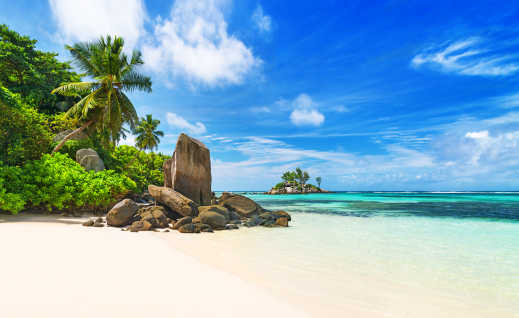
pixel 383 254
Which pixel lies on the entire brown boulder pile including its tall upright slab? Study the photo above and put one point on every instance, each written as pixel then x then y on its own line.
pixel 186 202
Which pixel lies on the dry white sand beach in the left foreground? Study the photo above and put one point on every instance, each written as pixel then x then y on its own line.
pixel 53 267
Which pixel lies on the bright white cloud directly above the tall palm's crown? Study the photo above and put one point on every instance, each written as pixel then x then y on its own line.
pixel 88 20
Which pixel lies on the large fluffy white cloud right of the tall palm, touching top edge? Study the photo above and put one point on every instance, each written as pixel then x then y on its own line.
pixel 194 42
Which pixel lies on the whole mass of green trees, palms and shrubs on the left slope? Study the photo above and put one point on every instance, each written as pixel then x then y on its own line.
pixel 31 178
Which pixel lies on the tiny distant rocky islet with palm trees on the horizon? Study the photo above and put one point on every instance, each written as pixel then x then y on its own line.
pixel 295 182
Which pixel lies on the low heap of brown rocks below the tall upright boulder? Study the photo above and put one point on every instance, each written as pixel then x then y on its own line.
pixel 179 213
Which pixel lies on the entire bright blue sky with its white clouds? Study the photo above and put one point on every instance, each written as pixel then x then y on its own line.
pixel 369 95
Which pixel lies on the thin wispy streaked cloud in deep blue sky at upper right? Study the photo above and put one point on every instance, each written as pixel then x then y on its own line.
pixel 467 57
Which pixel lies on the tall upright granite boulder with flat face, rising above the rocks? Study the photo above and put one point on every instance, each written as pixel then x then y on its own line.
pixel 189 170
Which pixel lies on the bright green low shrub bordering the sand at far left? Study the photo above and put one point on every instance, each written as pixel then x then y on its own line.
pixel 58 182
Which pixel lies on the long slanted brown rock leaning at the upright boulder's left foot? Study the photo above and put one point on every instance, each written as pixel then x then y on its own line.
pixel 174 200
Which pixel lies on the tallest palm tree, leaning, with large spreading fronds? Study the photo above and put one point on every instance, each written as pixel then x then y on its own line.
pixel 104 105
